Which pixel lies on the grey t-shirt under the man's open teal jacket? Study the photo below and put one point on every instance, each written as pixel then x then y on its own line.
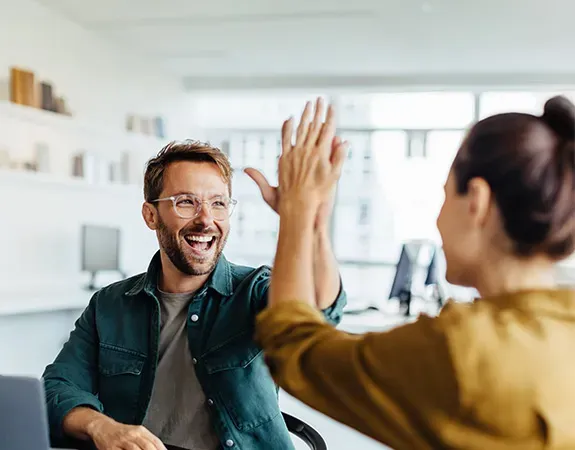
pixel 178 413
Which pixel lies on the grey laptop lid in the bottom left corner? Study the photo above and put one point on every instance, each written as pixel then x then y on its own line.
pixel 23 416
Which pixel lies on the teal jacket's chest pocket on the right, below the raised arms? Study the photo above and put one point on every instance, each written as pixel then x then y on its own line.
pixel 240 380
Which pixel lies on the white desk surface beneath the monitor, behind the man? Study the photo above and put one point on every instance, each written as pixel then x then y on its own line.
pixel 17 303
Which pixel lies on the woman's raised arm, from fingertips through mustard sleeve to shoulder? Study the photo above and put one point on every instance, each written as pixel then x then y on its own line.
pixel 381 384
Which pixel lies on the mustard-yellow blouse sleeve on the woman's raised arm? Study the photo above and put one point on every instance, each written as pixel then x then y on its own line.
pixel 386 385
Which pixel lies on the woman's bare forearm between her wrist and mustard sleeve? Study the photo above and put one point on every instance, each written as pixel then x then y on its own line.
pixel 292 275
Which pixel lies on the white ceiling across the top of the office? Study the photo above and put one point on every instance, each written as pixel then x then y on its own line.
pixel 299 39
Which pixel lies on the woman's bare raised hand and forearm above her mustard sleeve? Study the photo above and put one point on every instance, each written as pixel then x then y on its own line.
pixel 308 172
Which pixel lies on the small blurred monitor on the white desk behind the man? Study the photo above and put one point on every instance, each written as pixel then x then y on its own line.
pixel 100 250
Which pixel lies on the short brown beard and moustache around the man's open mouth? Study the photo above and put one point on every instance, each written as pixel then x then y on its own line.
pixel 175 248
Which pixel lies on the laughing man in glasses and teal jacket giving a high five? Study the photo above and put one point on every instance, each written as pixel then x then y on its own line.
pixel 167 357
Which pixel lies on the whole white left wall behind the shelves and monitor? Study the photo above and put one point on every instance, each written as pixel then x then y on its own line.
pixel 41 215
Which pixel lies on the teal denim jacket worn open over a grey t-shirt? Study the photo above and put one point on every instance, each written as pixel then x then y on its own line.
pixel 110 359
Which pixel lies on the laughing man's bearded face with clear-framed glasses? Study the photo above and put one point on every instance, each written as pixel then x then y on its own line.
pixel 193 245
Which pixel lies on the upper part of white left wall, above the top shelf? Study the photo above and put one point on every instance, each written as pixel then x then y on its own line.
pixel 101 80
